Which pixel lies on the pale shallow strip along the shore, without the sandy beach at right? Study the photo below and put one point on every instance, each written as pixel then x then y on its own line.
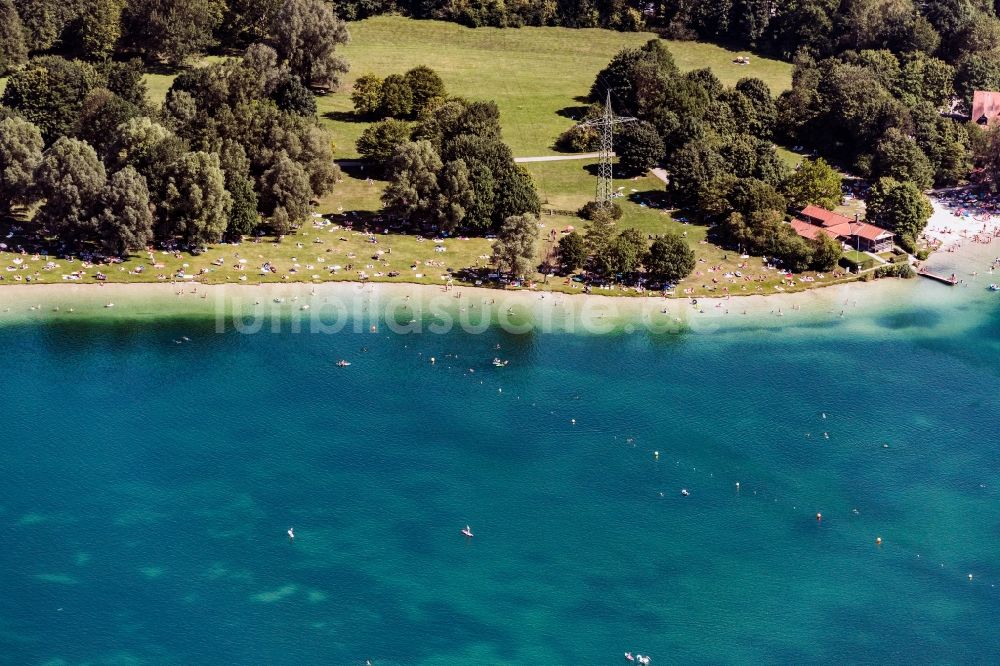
pixel 413 308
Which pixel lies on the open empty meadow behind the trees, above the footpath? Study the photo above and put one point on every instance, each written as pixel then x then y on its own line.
pixel 532 73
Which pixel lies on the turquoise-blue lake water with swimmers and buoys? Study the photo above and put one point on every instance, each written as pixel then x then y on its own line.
pixel 147 486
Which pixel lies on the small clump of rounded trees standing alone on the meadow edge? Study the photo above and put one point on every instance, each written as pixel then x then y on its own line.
pixel 406 95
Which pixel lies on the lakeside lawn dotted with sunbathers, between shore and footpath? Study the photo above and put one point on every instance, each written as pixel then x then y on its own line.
pixel 323 243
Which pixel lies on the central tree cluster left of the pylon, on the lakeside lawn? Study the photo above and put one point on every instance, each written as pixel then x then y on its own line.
pixel 450 170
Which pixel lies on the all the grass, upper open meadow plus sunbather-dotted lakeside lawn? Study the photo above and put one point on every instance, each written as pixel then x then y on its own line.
pixel 535 75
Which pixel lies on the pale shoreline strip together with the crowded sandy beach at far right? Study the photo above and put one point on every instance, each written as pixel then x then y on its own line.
pixel 966 249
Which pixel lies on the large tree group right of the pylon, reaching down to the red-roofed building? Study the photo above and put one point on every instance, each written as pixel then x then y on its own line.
pixel 716 143
